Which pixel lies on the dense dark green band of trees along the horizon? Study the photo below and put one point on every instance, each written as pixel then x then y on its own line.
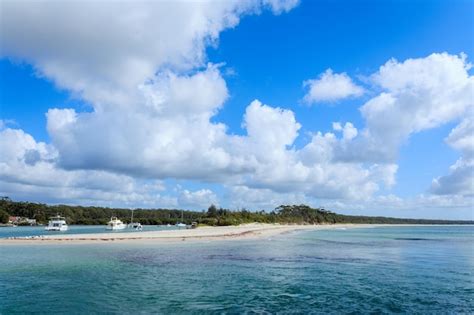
pixel 297 214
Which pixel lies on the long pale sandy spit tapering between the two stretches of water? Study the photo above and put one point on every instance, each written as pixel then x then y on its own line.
pixel 248 231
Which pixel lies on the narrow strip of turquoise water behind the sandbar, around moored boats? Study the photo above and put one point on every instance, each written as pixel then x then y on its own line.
pixel 22 231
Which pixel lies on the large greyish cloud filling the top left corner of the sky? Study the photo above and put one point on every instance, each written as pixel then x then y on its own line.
pixel 103 51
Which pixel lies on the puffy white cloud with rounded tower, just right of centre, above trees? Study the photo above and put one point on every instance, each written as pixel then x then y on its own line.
pixel 310 170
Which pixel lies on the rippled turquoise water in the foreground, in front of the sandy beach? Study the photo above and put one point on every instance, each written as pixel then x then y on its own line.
pixel 423 270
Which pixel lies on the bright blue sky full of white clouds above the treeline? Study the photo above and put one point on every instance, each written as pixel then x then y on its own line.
pixel 360 107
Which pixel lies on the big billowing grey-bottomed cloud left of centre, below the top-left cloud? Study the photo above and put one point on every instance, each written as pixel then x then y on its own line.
pixel 159 139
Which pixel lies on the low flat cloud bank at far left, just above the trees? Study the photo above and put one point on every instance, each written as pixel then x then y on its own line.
pixel 28 171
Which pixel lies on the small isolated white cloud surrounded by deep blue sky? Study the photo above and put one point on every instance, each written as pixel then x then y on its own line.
pixel 331 87
